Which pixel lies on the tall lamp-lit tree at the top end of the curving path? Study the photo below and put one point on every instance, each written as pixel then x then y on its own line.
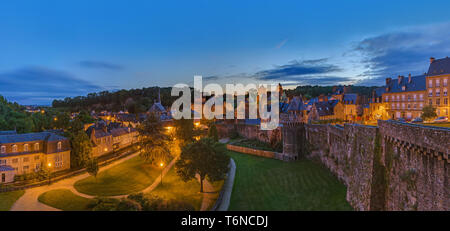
pixel 153 140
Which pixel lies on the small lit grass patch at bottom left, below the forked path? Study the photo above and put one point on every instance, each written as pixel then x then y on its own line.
pixel 65 200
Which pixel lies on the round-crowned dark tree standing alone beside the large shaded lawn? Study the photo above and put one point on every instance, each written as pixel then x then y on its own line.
pixel 203 157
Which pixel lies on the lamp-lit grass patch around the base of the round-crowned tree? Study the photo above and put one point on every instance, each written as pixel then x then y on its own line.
pixel 174 188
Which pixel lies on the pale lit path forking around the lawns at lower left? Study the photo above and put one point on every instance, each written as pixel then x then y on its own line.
pixel 29 200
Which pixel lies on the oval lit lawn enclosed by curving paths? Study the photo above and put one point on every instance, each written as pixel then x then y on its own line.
pixel 128 177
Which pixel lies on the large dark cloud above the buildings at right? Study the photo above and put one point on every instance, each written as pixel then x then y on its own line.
pixel 402 52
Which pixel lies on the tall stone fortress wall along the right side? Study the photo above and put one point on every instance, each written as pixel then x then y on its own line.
pixel 395 166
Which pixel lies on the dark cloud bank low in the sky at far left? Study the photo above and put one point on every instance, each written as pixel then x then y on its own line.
pixel 38 85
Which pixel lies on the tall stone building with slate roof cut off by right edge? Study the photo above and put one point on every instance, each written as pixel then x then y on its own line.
pixel 438 76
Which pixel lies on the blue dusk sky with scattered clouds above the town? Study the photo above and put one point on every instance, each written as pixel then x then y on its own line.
pixel 56 49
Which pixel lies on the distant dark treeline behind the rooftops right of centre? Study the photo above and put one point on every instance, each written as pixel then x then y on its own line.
pixel 314 91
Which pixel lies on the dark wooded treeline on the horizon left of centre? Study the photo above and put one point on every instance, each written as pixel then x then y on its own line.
pixel 133 100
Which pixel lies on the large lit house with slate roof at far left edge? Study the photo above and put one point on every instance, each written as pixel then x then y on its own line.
pixel 29 152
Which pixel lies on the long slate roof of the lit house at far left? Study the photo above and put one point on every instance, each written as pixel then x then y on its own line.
pixel 29 137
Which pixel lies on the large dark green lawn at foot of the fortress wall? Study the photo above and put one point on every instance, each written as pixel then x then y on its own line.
pixel 264 184
